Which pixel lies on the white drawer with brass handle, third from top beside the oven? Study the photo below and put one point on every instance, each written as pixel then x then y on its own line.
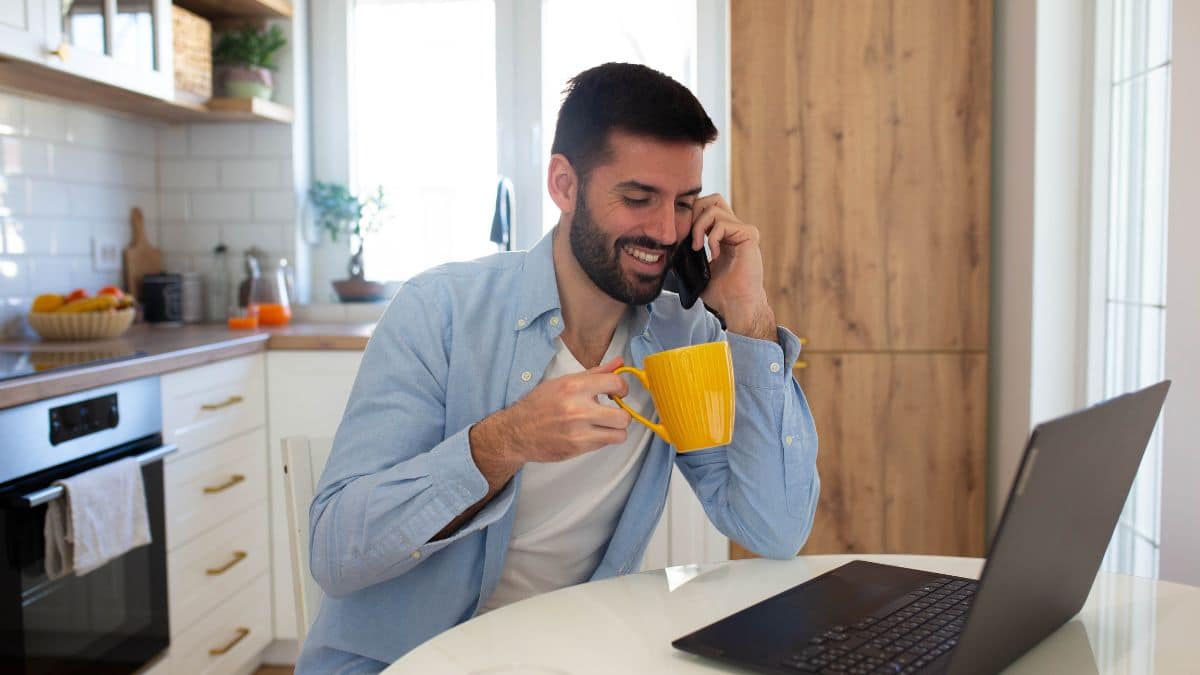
pixel 207 571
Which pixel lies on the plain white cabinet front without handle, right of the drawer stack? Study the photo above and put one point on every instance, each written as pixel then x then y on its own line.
pixel 307 393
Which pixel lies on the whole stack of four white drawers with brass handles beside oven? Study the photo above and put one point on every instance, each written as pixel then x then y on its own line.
pixel 218 517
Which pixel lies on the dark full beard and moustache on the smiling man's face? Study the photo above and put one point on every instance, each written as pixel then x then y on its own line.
pixel 602 261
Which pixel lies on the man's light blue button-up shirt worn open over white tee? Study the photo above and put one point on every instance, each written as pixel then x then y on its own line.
pixel 458 344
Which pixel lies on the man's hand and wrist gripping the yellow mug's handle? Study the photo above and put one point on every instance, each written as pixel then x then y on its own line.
pixel 557 421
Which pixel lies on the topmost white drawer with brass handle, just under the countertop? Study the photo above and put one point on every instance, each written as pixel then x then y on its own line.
pixel 209 404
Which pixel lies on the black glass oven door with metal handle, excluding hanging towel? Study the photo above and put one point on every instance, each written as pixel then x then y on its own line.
pixel 112 620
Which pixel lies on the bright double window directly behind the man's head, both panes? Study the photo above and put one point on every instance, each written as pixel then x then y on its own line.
pixel 436 127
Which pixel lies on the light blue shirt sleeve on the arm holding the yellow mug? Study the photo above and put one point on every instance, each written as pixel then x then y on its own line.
pixel 394 480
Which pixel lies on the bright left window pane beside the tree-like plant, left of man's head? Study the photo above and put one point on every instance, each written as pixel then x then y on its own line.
pixel 427 134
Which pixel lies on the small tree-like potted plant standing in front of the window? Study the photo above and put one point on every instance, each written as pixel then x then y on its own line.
pixel 344 214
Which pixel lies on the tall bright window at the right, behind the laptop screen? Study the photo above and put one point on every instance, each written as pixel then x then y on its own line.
pixel 1130 228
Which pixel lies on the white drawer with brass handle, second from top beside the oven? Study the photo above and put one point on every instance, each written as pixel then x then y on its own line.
pixel 214 486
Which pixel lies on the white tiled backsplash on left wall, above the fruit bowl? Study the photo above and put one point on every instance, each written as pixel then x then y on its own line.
pixel 68 175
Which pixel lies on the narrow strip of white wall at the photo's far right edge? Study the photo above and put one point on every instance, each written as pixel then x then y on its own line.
pixel 1180 554
